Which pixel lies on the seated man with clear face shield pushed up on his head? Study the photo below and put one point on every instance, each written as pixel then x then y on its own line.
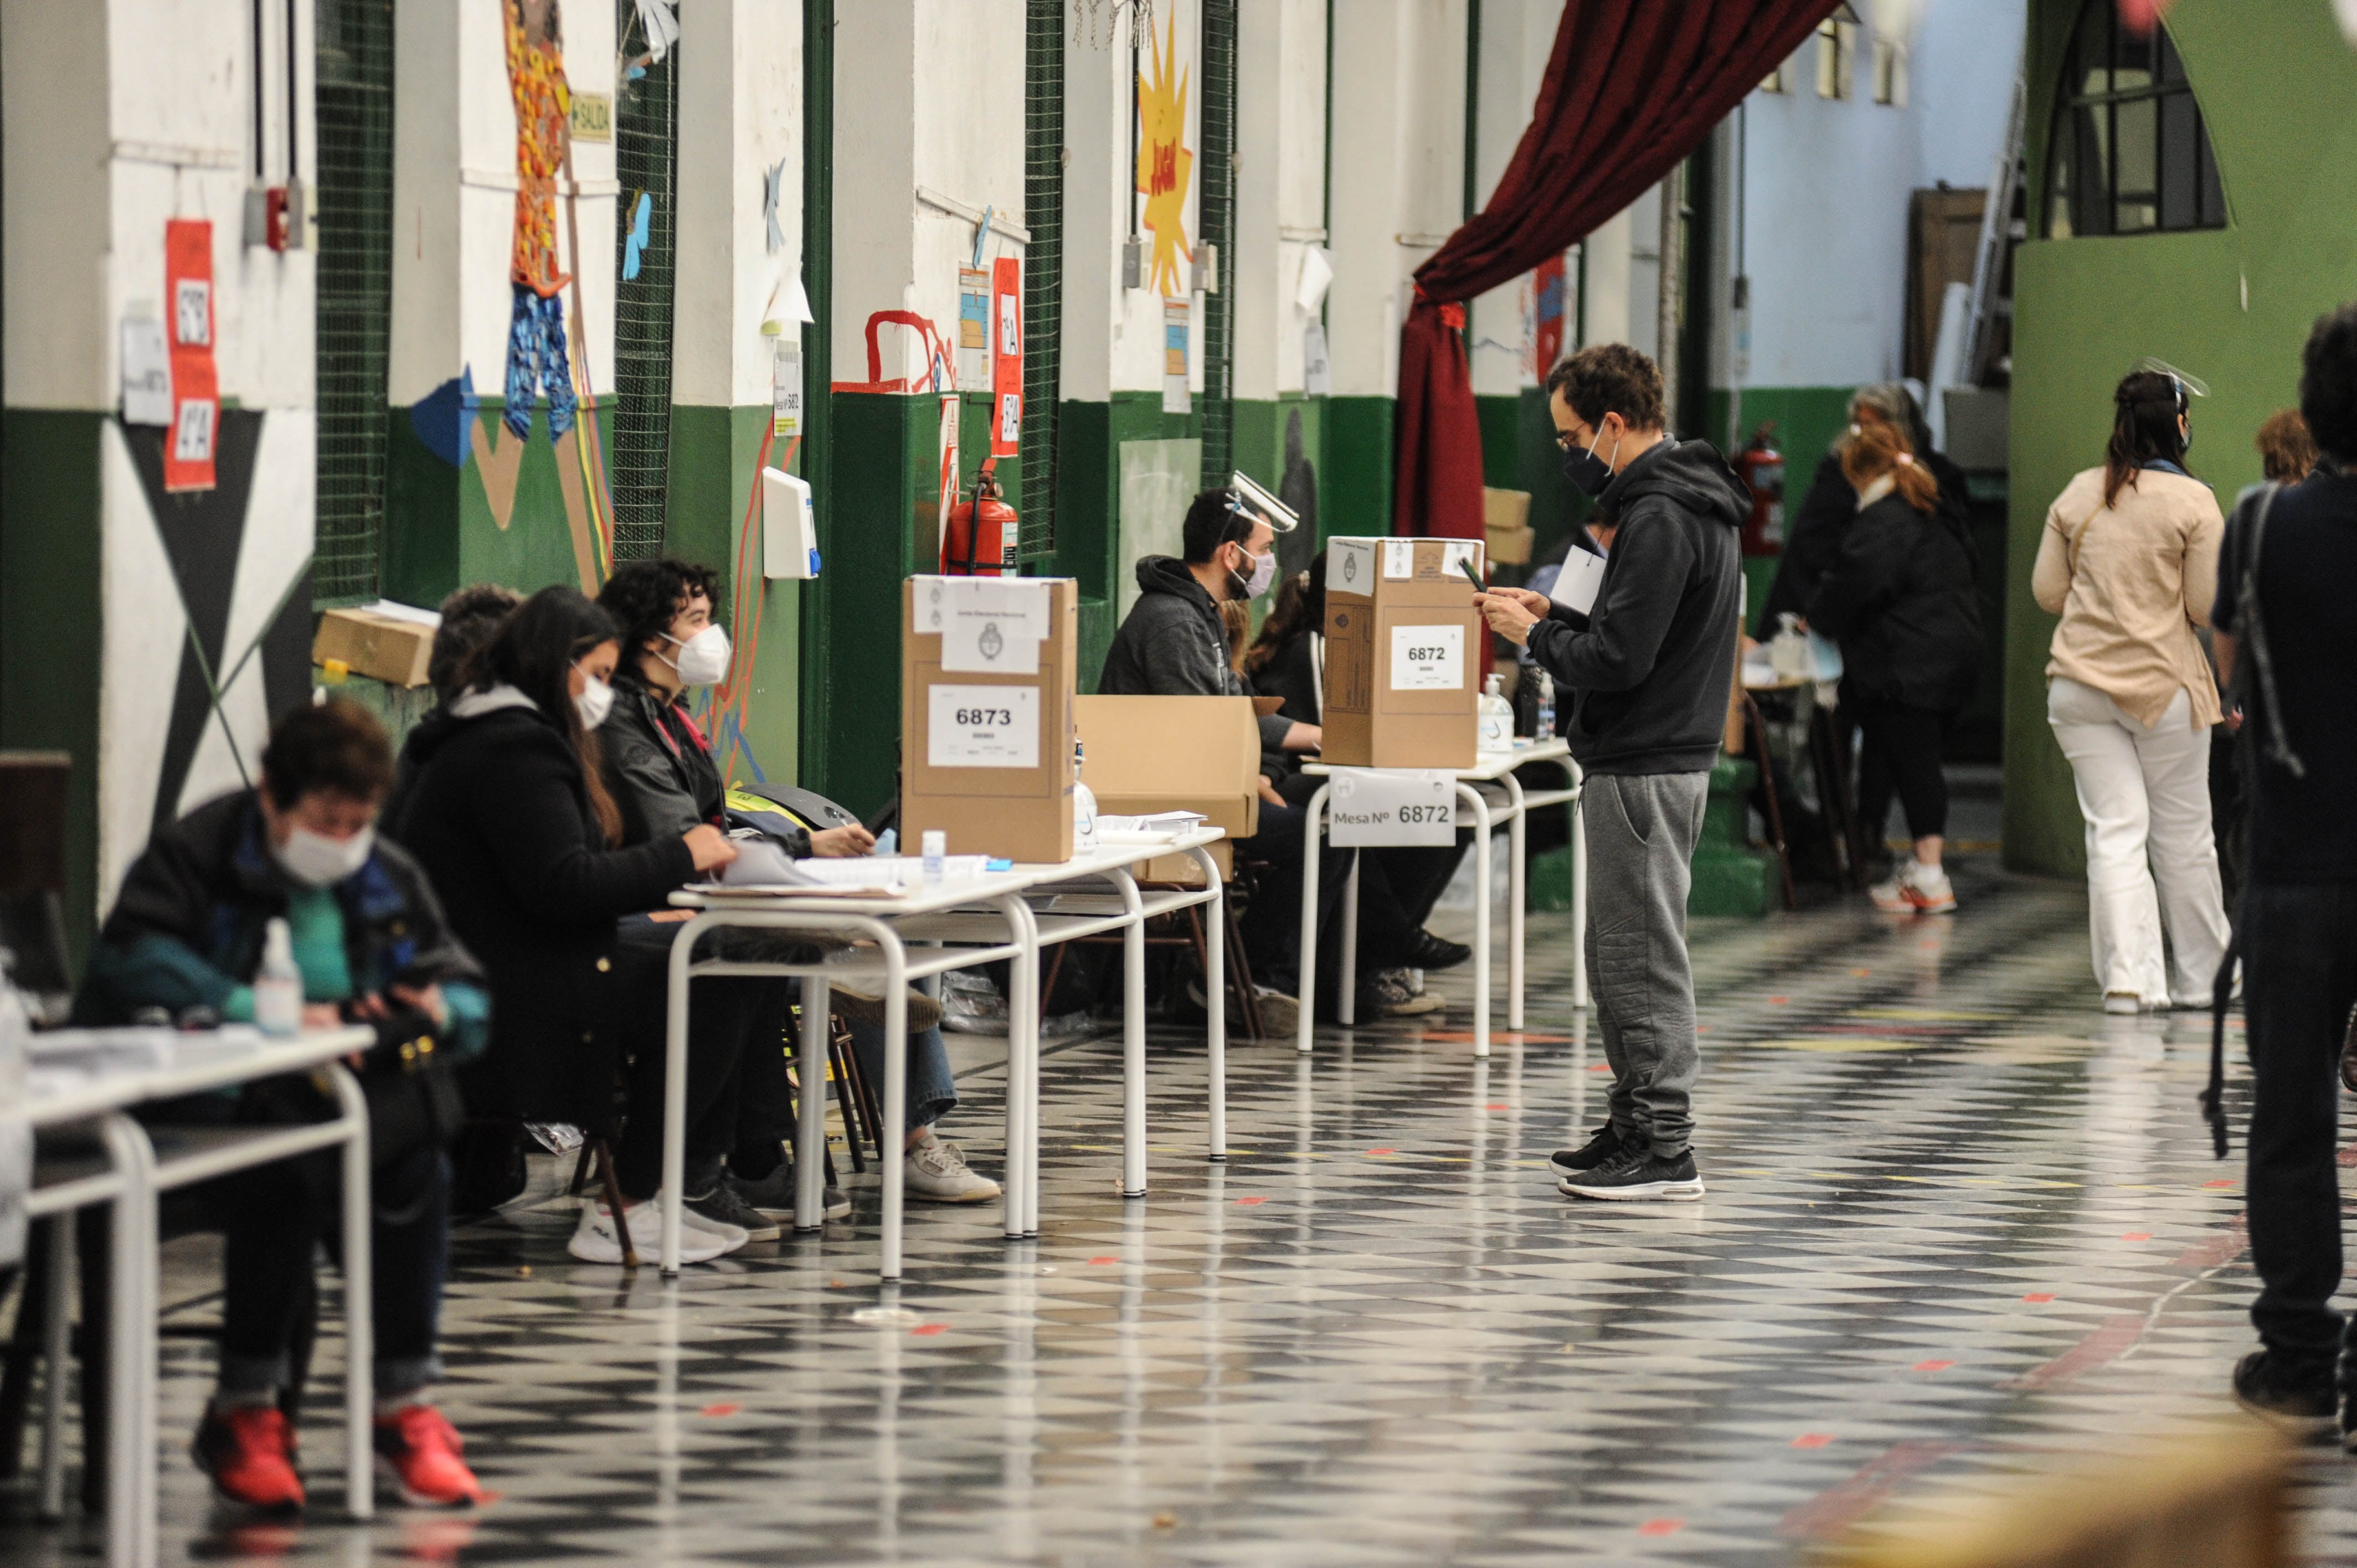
pixel 1175 645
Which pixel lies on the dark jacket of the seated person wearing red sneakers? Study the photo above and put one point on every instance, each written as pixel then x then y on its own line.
pixel 187 925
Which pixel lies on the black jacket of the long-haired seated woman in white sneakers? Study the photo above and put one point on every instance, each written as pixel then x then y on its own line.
pixel 499 815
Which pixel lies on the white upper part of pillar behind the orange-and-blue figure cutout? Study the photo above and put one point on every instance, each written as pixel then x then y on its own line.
pixel 456 195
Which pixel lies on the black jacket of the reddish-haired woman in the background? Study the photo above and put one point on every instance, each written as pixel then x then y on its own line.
pixel 1901 605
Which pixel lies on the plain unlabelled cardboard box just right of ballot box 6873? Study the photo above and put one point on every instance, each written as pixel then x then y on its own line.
pixel 1156 756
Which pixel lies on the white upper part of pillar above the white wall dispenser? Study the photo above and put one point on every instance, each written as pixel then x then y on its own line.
pixel 739 117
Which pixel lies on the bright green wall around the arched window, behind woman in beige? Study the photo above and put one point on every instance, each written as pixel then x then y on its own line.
pixel 2278 91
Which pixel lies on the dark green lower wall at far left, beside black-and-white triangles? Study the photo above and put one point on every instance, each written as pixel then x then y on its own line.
pixel 51 621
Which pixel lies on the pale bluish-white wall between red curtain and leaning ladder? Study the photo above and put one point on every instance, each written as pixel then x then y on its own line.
pixel 1830 180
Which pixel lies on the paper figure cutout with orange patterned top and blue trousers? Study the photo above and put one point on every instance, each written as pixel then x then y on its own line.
pixel 536 329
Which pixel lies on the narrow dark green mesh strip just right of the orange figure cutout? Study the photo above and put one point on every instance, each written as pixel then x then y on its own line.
pixel 647 169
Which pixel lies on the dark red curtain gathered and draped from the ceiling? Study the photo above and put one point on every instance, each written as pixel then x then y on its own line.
pixel 1632 88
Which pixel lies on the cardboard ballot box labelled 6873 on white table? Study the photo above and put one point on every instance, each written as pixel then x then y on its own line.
pixel 986 716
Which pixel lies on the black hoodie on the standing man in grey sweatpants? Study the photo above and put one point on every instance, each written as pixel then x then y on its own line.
pixel 1653 659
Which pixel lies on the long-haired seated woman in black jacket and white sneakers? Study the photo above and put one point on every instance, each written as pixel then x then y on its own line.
pixel 517 829
